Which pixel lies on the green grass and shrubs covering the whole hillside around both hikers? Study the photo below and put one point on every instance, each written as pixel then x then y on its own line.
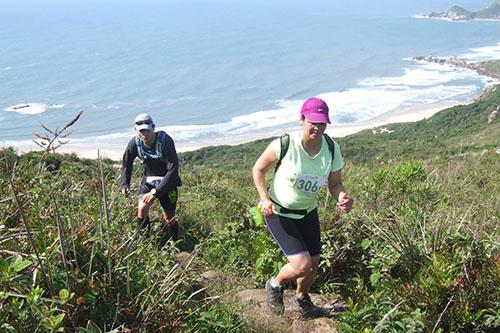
pixel 420 249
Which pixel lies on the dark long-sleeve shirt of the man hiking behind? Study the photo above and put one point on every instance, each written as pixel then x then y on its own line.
pixel 166 167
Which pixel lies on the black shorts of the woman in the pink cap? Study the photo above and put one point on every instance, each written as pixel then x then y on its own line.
pixel 296 235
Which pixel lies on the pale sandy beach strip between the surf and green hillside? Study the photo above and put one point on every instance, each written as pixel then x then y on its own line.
pixel 408 115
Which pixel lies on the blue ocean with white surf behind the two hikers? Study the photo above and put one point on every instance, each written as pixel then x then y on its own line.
pixel 214 72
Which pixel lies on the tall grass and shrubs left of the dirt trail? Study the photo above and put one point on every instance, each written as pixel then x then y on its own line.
pixel 97 274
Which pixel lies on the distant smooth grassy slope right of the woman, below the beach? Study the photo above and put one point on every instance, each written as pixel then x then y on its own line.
pixel 444 133
